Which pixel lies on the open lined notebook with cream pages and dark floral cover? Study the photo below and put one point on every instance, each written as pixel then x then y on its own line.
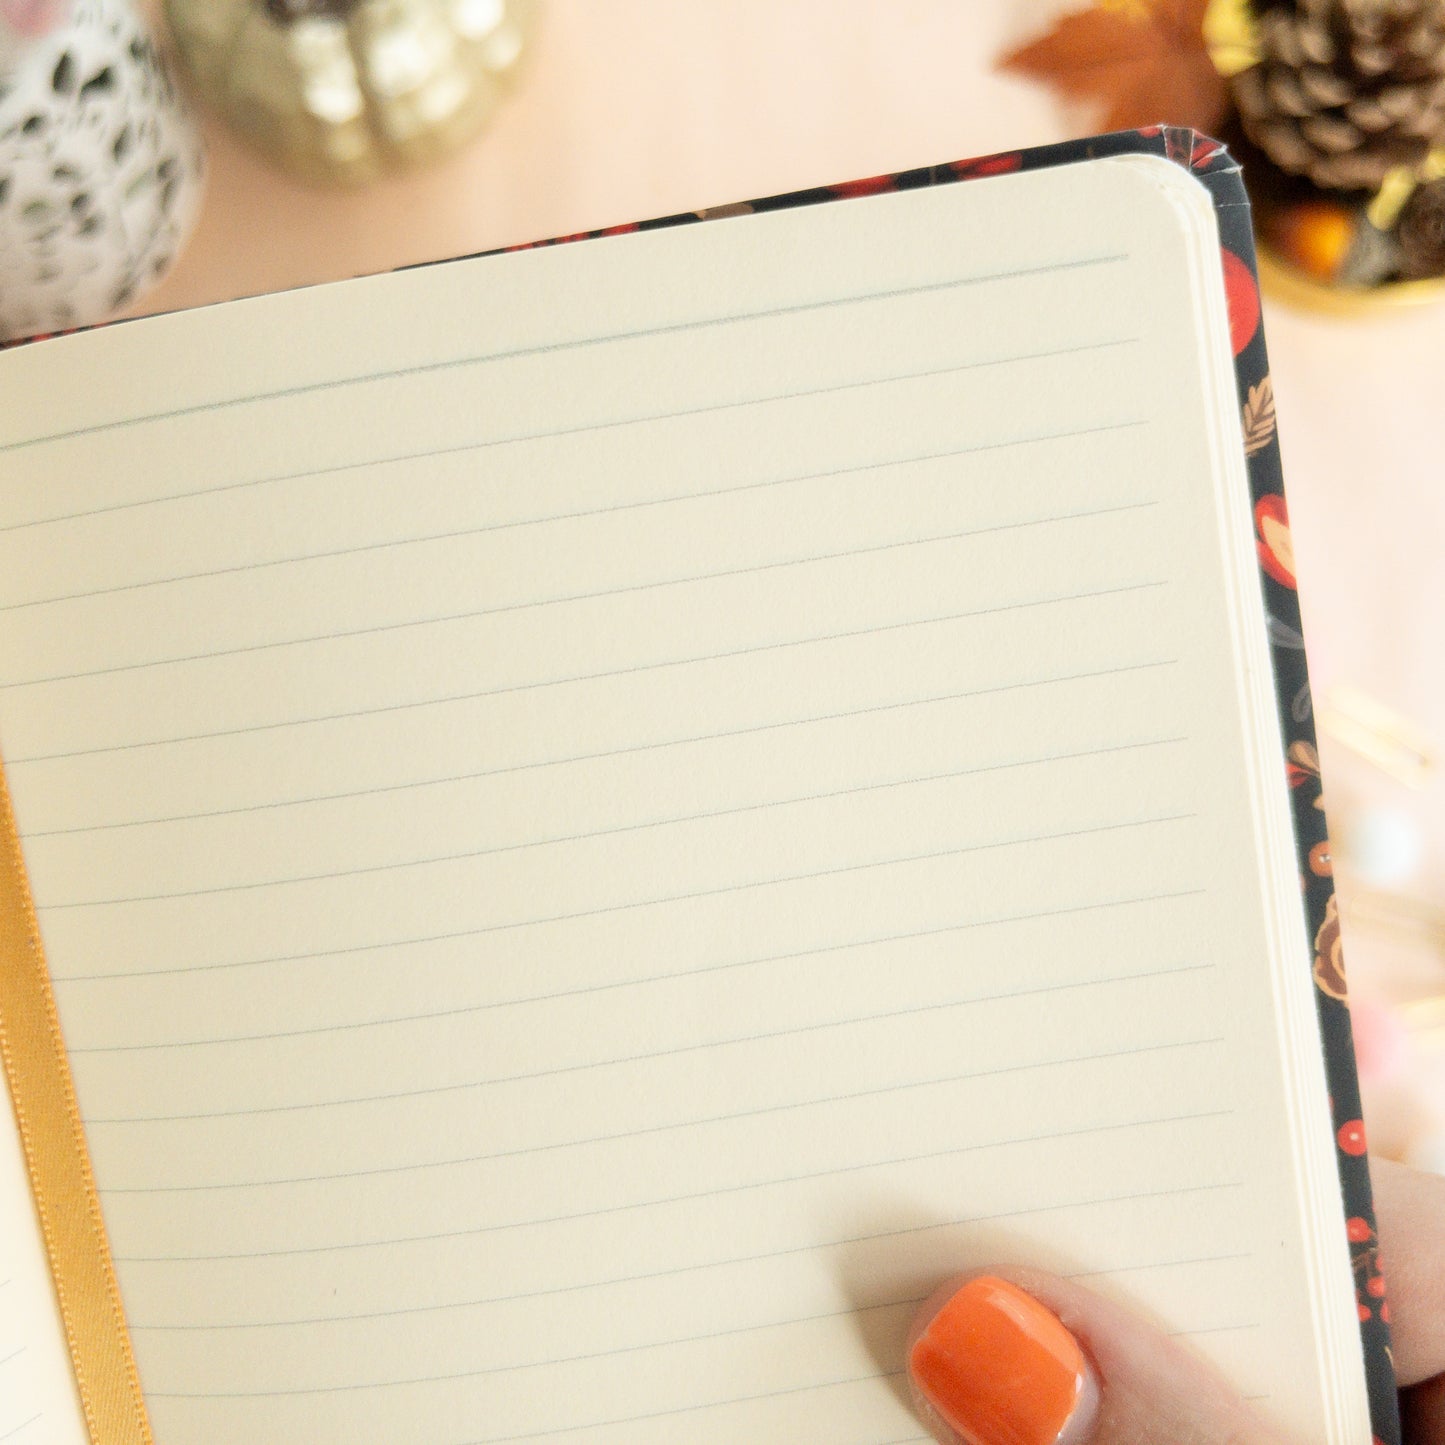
pixel 603 817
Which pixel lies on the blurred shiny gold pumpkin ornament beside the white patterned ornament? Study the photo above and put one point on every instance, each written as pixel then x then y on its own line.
pixel 348 90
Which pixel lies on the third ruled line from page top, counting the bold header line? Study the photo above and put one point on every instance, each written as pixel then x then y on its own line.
pixel 518 524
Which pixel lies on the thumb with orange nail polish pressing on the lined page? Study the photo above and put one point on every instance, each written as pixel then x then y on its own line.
pixel 1028 1359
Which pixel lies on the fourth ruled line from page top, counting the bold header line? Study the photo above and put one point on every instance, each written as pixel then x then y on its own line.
pixel 504 609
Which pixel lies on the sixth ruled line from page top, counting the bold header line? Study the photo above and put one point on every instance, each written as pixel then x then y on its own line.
pixel 606 754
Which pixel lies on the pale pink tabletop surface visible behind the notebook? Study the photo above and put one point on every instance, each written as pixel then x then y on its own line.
pixel 631 109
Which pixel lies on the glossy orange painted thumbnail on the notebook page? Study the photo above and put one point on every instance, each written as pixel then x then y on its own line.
pixel 999 1368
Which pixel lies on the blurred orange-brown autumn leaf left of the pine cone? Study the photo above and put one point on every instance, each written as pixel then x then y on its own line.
pixel 1141 63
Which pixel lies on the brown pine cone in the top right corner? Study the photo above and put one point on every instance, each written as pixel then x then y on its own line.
pixel 1346 90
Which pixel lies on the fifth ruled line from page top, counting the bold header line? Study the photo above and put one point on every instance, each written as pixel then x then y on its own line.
pixel 599 677
